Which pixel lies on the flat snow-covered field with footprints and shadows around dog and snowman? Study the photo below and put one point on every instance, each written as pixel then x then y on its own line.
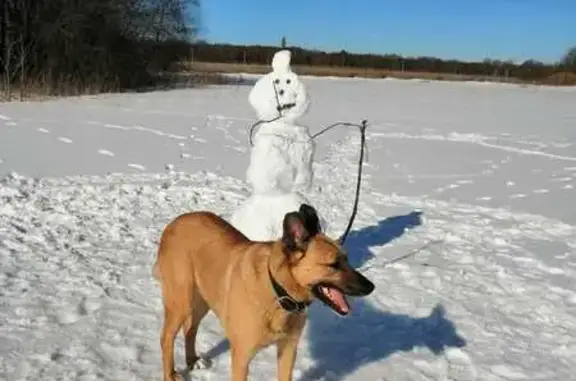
pixel 88 183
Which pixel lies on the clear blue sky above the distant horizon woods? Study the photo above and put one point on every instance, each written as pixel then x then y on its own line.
pixel 464 29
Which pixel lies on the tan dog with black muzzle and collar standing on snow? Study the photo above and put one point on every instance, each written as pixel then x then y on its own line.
pixel 258 290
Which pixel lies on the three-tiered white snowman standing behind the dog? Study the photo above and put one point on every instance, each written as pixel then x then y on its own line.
pixel 280 168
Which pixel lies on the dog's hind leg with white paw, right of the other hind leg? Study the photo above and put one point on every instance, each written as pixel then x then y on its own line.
pixel 190 329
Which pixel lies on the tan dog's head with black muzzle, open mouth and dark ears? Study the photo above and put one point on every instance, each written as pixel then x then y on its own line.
pixel 319 263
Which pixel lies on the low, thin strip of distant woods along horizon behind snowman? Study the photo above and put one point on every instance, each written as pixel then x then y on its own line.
pixel 257 54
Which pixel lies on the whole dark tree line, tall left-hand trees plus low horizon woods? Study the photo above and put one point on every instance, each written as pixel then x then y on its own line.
pixel 80 46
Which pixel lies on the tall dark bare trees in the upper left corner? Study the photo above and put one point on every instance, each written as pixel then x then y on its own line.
pixel 78 45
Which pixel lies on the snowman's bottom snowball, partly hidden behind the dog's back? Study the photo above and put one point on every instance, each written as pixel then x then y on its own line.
pixel 260 217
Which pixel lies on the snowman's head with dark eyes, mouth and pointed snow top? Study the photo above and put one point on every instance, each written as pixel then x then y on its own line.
pixel 279 93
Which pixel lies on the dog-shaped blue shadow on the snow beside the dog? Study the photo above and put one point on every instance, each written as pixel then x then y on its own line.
pixel 341 346
